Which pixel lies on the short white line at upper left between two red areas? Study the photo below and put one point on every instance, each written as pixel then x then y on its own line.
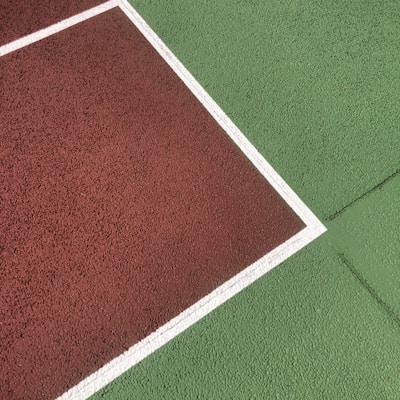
pixel 58 27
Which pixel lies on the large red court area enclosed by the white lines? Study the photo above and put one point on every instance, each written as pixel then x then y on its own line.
pixel 123 203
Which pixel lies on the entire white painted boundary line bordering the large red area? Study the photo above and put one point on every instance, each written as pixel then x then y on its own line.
pixel 165 333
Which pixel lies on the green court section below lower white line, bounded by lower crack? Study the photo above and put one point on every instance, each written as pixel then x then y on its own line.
pixel 308 330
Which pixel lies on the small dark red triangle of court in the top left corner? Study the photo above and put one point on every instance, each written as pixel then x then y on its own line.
pixel 20 18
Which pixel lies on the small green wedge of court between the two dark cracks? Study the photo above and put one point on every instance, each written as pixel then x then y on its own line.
pixel 368 234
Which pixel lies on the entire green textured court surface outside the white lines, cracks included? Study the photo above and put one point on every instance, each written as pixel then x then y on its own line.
pixel 315 87
